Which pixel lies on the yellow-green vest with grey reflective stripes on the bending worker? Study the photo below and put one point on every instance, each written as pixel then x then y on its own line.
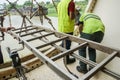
pixel 91 23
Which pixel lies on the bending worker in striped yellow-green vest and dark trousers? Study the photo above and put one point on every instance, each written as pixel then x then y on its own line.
pixel 91 28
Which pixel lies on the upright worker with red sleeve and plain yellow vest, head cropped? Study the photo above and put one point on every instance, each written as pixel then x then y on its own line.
pixel 66 21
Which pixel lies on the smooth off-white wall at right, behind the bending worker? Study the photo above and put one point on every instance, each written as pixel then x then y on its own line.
pixel 109 12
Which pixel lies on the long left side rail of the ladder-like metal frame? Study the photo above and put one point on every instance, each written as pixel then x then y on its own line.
pixel 63 74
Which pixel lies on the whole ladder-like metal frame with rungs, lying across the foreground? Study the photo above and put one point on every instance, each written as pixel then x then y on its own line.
pixel 83 42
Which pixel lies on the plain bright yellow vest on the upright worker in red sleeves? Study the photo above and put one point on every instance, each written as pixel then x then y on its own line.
pixel 65 24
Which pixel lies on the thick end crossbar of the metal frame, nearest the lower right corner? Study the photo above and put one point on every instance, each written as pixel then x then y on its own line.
pixel 88 75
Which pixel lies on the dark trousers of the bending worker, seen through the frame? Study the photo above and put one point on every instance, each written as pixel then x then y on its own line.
pixel 97 37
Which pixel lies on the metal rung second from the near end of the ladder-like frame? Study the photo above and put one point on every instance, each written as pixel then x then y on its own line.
pixel 70 51
